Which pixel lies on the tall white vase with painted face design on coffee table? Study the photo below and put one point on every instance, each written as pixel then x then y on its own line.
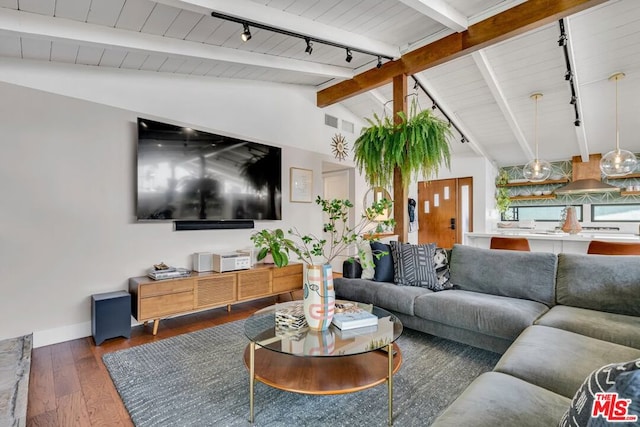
pixel 319 297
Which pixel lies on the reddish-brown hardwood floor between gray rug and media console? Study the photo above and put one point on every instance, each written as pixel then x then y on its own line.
pixel 70 386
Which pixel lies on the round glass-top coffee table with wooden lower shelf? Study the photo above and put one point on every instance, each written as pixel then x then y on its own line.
pixel 329 362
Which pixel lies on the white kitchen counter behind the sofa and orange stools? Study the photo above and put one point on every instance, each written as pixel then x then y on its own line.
pixel 549 241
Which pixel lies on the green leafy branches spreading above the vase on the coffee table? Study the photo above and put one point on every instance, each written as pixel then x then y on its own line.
pixel 336 240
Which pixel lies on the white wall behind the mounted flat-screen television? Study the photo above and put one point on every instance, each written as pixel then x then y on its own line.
pixel 67 165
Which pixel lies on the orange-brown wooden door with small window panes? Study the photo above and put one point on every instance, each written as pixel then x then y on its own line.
pixel 444 211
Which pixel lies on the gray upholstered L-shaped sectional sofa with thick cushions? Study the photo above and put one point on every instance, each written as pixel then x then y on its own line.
pixel 556 318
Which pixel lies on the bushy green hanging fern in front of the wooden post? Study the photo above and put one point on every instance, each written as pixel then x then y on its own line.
pixel 418 145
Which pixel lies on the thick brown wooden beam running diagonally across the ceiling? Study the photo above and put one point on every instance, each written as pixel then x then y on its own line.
pixel 512 22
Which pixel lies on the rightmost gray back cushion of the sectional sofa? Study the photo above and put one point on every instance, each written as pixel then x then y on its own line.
pixel 600 282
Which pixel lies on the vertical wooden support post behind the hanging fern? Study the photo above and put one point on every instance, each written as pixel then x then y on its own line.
pixel 400 193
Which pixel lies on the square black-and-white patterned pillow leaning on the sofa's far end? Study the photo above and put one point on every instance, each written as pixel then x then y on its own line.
pixel 413 264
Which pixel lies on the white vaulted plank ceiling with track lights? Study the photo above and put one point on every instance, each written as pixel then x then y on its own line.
pixel 486 94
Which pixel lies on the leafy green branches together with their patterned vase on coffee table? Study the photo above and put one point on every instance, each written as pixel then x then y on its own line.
pixel 319 297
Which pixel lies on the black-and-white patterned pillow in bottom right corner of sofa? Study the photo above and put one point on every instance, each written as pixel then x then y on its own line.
pixel 620 378
